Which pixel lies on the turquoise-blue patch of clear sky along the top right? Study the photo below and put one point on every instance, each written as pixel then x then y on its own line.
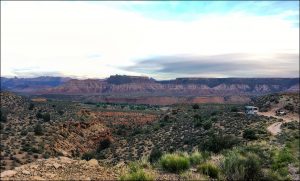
pixel 190 10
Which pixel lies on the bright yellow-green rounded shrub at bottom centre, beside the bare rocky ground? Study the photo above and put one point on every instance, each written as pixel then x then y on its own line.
pixel 175 162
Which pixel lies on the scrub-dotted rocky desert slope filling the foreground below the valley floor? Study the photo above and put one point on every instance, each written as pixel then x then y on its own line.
pixel 113 138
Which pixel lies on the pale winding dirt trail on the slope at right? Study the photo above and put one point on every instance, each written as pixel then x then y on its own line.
pixel 274 128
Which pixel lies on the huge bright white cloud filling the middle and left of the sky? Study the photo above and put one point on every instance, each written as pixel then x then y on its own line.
pixel 62 36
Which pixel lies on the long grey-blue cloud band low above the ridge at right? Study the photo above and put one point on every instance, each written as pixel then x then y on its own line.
pixel 223 65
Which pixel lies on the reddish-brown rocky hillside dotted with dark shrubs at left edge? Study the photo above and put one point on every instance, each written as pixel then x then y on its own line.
pixel 28 134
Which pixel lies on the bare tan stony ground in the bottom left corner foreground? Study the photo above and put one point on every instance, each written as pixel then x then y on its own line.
pixel 62 168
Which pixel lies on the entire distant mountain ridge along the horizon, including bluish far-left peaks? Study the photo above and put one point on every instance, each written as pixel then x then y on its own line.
pixel 132 86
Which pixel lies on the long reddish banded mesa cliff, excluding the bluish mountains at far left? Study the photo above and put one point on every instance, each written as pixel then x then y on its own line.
pixel 139 86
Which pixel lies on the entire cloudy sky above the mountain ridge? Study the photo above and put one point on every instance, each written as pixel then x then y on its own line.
pixel 163 40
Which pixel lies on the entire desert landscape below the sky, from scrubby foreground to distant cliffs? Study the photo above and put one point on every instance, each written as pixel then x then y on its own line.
pixel 72 129
